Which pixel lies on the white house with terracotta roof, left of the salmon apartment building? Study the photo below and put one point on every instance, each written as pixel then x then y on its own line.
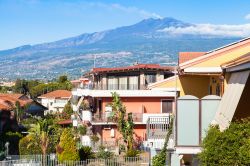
pixel 55 101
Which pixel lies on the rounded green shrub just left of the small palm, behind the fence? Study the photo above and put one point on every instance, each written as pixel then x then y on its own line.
pixel 29 145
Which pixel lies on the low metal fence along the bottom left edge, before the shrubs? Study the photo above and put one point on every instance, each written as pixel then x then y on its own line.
pixel 51 160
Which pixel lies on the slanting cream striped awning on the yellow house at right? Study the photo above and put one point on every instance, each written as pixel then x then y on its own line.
pixel 230 99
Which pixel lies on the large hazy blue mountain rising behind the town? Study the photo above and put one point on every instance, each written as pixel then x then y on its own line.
pixel 144 42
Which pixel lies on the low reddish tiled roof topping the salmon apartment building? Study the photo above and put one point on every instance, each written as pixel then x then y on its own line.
pixel 134 67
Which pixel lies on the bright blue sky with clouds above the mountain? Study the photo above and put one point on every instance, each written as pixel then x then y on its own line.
pixel 25 22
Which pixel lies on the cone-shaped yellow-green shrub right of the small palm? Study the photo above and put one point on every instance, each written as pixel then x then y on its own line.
pixel 66 149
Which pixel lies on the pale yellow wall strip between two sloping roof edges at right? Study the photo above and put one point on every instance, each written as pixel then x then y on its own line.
pixel 227 56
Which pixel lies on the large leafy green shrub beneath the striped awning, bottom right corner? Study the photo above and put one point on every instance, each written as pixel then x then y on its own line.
pixel 230 147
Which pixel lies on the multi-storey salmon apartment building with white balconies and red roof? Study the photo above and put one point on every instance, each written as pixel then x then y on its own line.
pixel 148 107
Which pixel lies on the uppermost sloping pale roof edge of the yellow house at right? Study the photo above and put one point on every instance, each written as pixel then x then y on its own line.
pixel 214 53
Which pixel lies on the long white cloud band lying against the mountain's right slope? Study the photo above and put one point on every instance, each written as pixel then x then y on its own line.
pixel 242 30
